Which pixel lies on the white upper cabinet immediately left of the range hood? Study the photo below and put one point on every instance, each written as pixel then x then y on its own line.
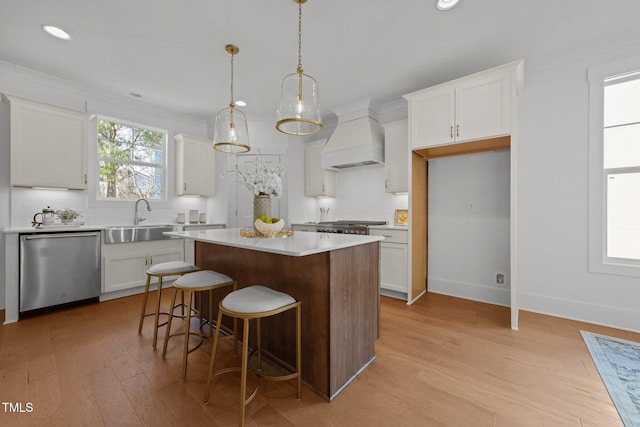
pixel 318 181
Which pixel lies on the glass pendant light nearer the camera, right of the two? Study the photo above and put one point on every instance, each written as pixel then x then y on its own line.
pixel 299 107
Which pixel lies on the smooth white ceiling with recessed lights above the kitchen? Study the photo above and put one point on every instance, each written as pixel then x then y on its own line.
pixel 172 51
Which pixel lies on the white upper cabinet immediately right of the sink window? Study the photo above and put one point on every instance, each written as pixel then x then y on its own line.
pixel 195 166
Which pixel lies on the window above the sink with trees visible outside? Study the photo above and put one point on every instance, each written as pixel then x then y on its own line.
pixel 131 161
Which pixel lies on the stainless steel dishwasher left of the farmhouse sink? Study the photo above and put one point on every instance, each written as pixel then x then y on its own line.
pixel 58 268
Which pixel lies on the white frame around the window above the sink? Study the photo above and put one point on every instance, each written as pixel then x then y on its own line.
pixel 96 200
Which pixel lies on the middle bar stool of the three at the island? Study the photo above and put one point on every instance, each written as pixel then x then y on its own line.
pixel 190 284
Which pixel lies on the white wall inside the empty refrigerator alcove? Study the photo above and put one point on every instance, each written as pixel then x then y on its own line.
pixel 469 226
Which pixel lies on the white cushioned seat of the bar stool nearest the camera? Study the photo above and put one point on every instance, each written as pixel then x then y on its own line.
pixel 255 299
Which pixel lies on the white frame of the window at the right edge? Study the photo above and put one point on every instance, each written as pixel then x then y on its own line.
pixel 599 262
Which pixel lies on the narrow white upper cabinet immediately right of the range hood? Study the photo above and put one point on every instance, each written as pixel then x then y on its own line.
pixel 396 146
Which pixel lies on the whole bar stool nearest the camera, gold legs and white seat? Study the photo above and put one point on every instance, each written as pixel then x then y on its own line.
pixel 255 302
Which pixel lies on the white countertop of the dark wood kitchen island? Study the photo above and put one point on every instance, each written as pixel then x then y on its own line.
pixel 300 244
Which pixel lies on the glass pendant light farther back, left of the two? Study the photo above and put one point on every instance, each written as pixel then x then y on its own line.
pixel 231 134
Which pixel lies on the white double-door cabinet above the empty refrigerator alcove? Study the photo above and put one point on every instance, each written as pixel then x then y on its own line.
pixel 467 109
